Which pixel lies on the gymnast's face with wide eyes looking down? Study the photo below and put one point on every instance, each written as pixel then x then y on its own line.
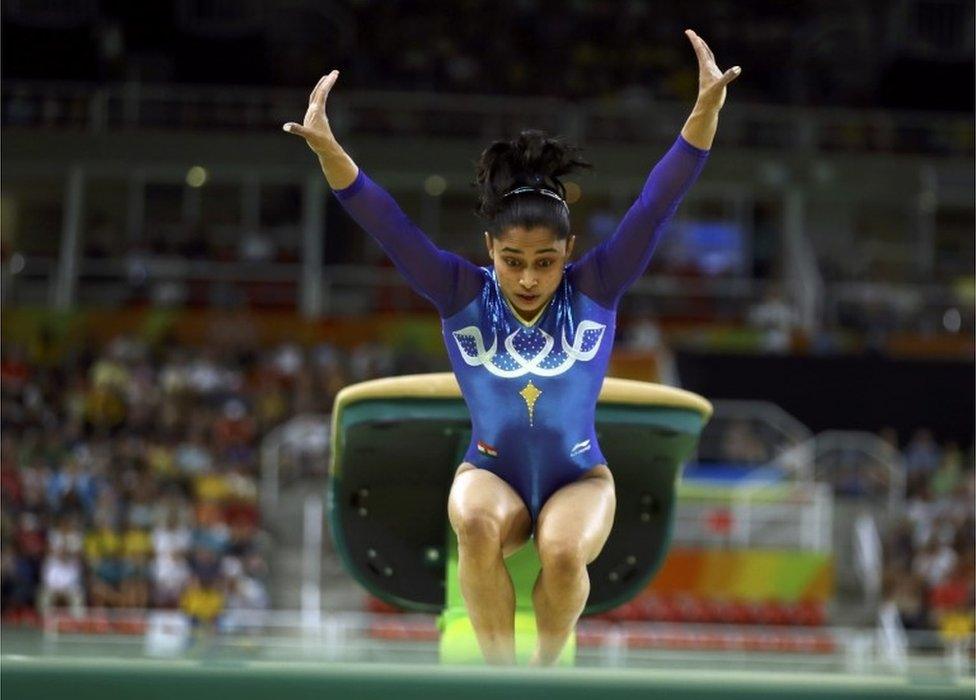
pixel 529 265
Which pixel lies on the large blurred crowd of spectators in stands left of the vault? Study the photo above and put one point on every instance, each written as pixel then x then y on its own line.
pixel 129 472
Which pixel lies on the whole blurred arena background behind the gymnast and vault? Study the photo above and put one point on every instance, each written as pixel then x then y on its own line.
pixel 182 298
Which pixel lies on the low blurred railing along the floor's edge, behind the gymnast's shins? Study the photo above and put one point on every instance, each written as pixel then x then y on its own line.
pixel 347 636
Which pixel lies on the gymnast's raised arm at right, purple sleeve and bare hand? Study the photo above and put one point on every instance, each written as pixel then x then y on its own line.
pixel 606 272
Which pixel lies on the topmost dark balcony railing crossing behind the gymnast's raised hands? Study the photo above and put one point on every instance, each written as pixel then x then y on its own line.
pixel 100 108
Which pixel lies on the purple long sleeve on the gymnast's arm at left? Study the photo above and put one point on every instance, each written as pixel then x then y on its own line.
pixel 446 279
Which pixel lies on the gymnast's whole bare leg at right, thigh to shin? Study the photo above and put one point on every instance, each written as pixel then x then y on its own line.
pixel 573 526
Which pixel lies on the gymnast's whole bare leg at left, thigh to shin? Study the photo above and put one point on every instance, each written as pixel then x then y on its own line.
pixel 491 521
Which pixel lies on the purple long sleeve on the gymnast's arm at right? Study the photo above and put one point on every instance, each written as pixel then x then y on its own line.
pixel 605 272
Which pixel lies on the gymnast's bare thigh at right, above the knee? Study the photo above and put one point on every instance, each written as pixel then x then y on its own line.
pixel 579 515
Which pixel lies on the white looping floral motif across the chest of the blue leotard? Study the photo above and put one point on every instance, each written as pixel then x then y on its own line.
pixel 519 361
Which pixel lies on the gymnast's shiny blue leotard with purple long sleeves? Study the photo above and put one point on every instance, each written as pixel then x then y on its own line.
pixel 531 389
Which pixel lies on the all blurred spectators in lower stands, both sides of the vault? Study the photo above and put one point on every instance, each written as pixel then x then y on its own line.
pixel 128 475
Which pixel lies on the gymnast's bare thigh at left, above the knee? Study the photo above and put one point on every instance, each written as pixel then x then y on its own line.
pixel 479 493
